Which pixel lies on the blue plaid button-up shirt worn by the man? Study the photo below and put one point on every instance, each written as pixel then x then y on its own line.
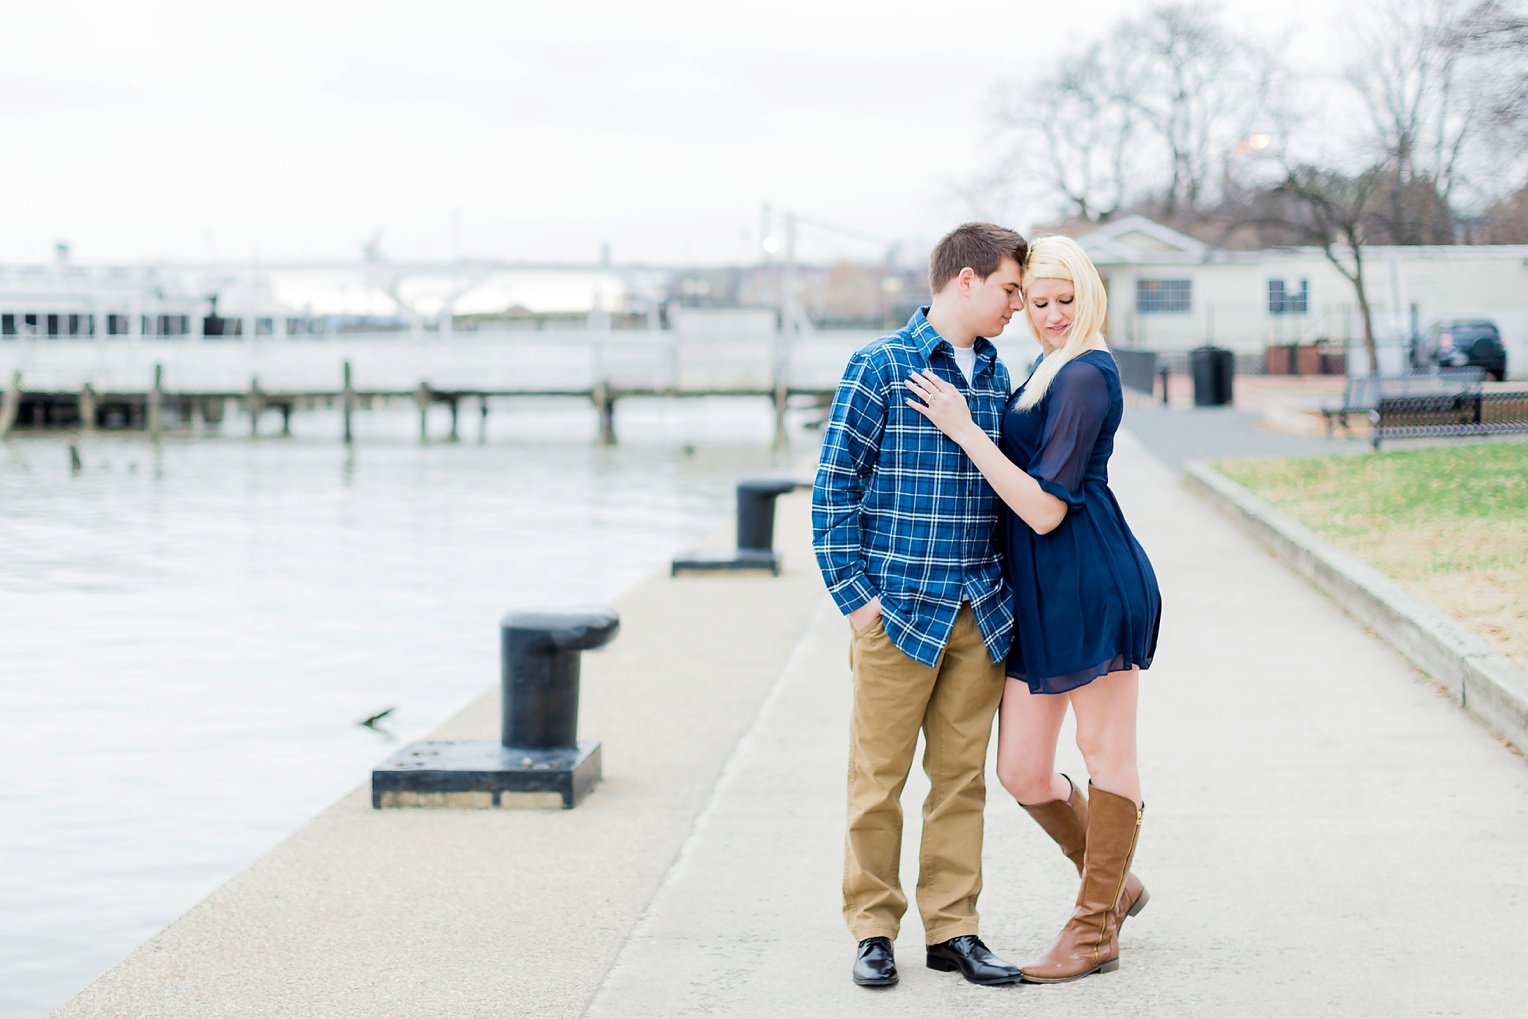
pixel 899 509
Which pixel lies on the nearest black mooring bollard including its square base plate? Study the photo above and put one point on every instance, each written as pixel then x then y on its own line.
pixel 539 760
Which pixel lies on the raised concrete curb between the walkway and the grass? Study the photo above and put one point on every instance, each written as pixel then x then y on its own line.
pixel 1481 679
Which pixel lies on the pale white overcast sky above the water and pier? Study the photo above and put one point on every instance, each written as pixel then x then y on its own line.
pixel 520 131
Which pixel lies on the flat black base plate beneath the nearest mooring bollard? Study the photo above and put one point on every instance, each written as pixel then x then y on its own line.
pixel 482 774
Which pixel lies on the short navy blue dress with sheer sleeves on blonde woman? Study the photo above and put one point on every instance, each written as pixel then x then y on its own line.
pixel 1086 598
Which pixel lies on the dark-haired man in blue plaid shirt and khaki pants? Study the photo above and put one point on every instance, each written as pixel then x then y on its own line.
pixel 904 532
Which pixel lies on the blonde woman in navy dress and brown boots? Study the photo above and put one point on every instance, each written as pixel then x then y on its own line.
pixel 1087 604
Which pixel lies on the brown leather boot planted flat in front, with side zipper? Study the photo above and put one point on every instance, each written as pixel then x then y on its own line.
pixel 1090 943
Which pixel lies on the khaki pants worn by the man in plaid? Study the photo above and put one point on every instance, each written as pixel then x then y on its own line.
pixel 954 704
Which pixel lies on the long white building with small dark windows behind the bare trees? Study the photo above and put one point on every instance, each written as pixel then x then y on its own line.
pixel 1171 293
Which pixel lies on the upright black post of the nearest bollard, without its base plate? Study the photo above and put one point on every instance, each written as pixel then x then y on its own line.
pixel 540 655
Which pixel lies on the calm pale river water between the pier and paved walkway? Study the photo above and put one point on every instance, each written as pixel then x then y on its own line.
pixel 190 633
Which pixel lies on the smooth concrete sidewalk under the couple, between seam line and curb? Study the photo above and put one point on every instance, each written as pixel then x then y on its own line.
pixel 1326 835
